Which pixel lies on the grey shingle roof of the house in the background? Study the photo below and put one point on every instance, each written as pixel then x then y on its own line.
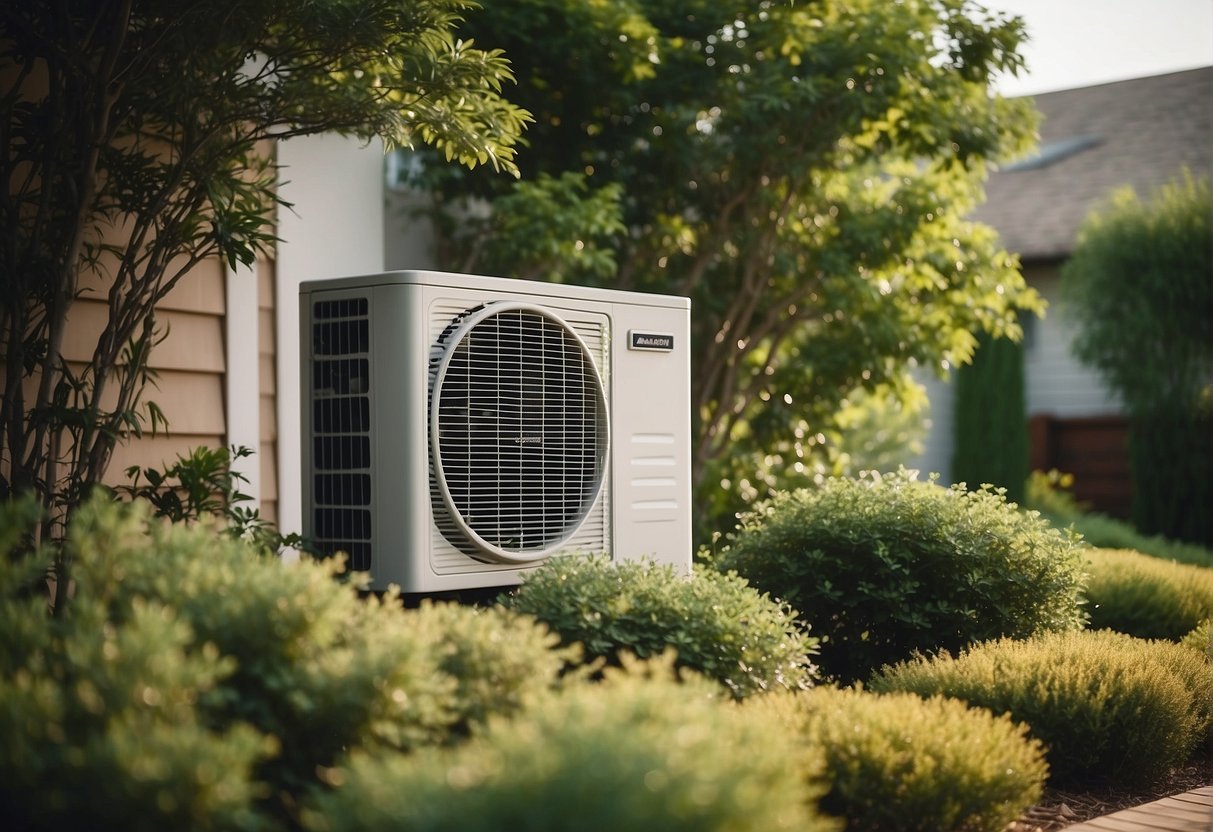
pixel 1137 133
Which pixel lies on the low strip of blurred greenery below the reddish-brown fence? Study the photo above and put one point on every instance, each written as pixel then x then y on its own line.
pixel 1047 494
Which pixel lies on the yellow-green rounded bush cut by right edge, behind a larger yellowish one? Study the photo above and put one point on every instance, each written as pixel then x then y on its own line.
pixel 1147 597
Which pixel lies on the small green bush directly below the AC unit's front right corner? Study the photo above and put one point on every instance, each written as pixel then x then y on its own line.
pixel 717 624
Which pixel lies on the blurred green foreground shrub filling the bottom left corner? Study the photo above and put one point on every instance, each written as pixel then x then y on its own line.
pixel 100 721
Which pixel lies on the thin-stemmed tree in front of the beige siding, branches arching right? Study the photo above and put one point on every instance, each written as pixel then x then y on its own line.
pixel 136 143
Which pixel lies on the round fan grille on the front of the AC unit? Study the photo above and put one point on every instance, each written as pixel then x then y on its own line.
pixel 519 431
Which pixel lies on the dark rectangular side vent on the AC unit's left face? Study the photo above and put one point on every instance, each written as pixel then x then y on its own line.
pixel 341 429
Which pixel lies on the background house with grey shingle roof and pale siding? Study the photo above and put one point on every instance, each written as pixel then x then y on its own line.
pixel 1095 140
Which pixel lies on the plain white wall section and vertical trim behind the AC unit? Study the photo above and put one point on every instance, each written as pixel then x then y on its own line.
pixel 334 229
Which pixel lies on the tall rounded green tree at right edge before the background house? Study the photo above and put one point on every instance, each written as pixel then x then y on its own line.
pixel 1141 288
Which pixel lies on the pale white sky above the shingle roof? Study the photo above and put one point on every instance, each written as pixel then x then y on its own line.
pixel 1080 43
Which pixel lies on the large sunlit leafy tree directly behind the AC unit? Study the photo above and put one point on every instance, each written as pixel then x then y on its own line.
pixel 802 172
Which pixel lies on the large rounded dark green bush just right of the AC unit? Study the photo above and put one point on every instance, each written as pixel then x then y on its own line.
pixel 886 567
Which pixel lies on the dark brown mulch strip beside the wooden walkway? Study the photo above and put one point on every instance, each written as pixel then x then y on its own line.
pixel 1060 810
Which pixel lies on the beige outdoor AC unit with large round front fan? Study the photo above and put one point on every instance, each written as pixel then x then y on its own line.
pixel 462 430
